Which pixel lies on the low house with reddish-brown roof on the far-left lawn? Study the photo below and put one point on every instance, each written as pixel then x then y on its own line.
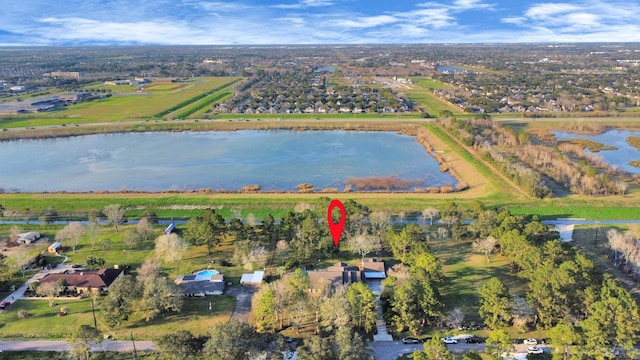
pixel 83 282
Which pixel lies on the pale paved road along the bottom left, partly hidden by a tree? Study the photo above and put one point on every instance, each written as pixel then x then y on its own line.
pixel 47 345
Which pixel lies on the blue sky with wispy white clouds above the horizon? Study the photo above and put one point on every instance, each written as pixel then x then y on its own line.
pixel 231 22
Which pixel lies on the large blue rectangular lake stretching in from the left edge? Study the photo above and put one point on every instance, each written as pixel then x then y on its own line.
pixel 155 161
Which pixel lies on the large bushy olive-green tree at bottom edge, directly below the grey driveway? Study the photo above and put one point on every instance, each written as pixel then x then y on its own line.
pixel 233 340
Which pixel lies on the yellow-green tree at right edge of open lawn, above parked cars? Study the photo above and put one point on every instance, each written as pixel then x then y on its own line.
pixel 495 303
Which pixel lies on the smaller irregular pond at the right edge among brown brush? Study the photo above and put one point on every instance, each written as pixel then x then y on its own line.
pixel 620 157
